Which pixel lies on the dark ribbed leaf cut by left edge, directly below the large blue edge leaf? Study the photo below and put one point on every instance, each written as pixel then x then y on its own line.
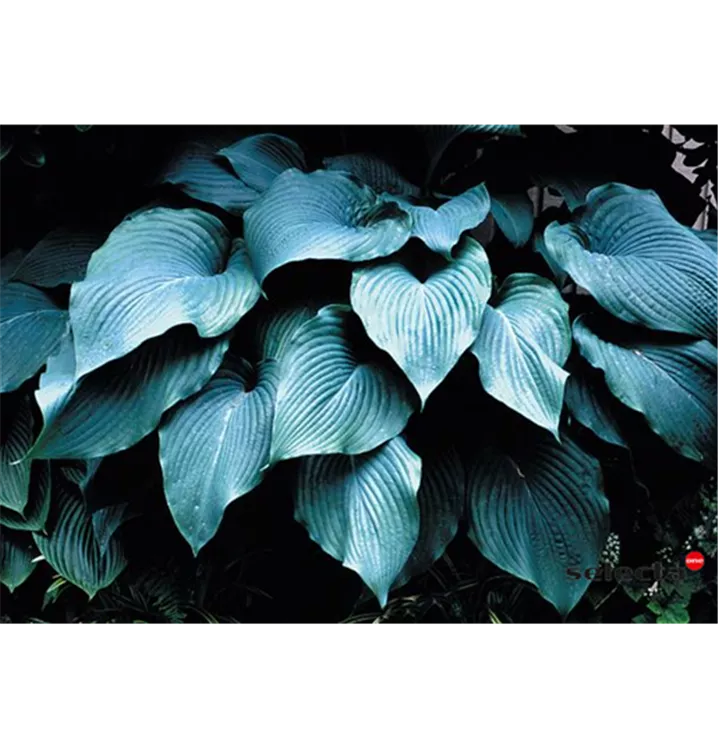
pixel 16 437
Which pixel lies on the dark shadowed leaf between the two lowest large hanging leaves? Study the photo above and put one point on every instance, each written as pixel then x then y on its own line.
pixel 442 496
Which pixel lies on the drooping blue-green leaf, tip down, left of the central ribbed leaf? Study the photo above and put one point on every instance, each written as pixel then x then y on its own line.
pixel 215 447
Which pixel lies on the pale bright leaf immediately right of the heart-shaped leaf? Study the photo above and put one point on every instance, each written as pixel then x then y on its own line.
pixel 524 341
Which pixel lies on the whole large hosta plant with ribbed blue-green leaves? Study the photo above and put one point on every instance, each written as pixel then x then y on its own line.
pixel 423 349
